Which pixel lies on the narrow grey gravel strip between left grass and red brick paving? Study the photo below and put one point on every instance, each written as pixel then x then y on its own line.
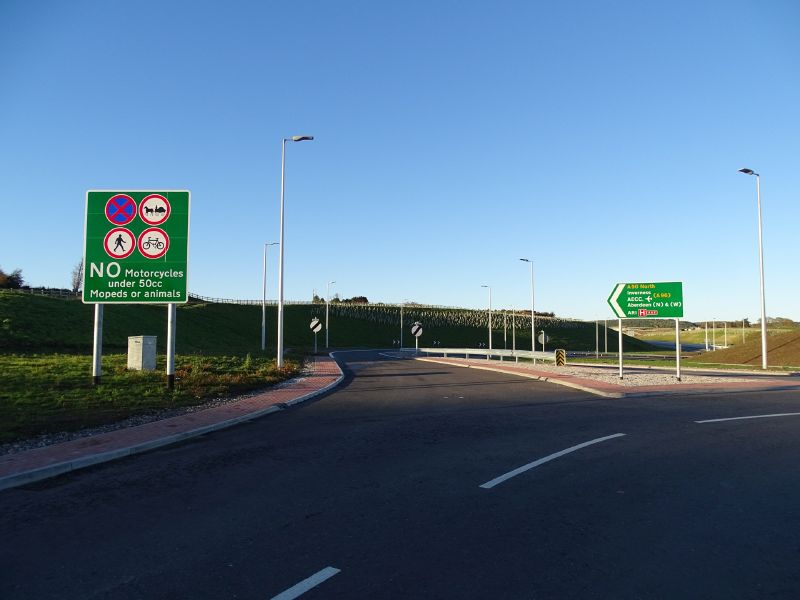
pixel 48 439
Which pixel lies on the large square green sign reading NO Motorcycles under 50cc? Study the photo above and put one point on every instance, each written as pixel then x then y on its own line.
pixel 136 247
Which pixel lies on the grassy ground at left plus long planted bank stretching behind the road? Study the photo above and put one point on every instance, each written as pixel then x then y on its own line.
pixel 46 344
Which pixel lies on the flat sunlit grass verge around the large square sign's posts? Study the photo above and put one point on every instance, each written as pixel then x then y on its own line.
pixel 49 393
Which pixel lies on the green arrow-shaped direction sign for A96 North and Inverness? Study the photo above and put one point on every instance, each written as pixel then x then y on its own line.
pixel 647 300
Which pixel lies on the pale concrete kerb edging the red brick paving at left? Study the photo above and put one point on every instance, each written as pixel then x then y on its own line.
pixel 55 469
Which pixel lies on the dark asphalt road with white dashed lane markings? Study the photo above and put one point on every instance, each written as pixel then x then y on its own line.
pixel 374 491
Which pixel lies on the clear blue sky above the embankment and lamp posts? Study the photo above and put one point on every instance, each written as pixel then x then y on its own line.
pixel 601 140
